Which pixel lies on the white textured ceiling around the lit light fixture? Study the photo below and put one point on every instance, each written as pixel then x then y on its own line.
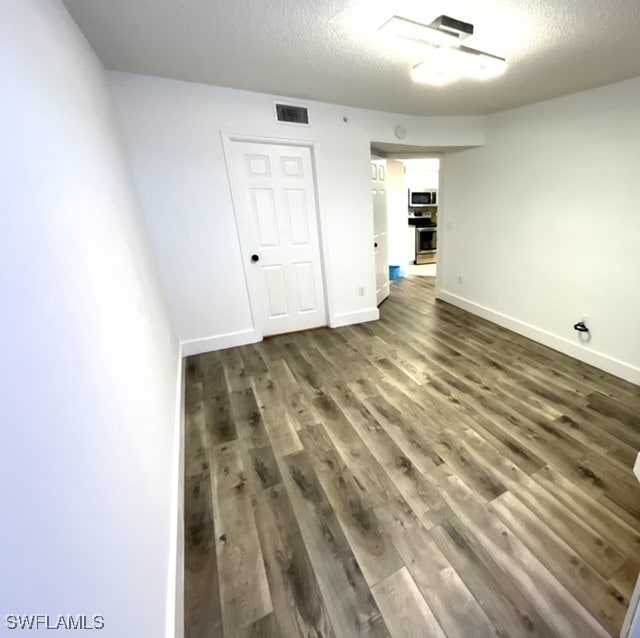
pixel 329 50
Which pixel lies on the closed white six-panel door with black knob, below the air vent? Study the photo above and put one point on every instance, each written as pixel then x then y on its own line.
pixel 275 201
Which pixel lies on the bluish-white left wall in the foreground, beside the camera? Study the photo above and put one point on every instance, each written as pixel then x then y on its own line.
pixel 89 359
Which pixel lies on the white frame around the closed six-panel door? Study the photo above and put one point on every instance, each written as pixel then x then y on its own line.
pixel 228 138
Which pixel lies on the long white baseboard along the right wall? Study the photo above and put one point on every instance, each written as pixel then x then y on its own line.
pixel 592 357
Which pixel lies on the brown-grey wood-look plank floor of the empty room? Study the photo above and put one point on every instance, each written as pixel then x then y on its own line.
pixel 429 474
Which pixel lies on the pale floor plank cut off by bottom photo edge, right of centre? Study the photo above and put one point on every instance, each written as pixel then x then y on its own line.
pixel 403 607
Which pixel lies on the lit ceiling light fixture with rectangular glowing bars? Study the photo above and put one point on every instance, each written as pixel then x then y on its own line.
pixel 446 59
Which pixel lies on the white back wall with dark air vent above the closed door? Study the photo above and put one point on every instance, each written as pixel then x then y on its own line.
pixel 173 131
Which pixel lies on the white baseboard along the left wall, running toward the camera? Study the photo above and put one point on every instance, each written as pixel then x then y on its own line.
pixel 175 577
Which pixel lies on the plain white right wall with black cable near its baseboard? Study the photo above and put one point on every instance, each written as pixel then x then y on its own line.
pixel 541 224
